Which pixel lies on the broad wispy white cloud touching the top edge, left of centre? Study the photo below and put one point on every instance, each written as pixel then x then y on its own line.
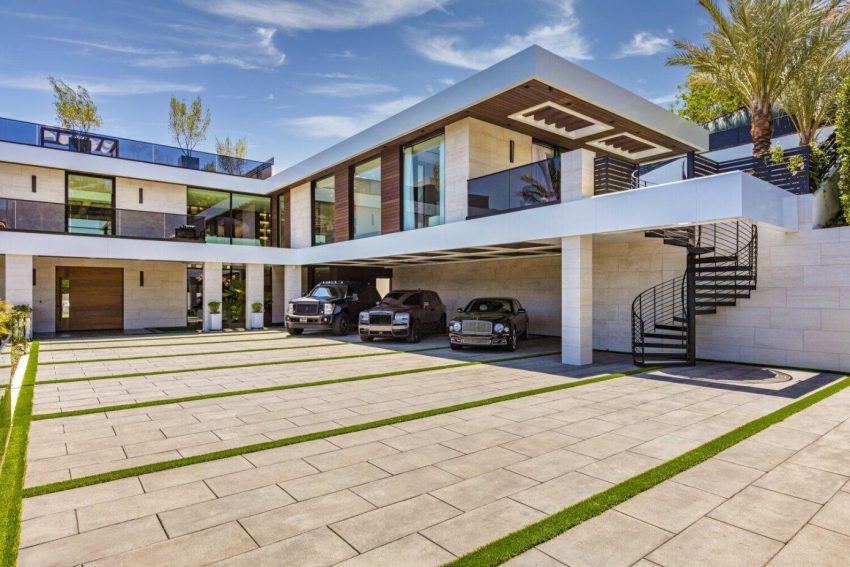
pixel 319 14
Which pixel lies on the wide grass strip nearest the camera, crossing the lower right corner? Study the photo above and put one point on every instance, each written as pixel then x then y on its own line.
pixel 513 544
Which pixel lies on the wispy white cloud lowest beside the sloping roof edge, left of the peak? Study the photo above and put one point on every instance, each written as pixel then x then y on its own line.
pixel 339 126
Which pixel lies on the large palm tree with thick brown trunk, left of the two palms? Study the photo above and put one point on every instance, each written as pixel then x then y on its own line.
pixel 757 49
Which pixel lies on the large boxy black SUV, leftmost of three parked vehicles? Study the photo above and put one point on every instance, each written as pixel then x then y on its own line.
pixel 330 306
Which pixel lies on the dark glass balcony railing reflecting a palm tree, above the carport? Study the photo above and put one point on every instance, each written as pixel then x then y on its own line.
pixel 531 185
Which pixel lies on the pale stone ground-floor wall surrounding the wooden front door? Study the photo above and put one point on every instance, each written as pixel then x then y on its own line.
pixel 160 303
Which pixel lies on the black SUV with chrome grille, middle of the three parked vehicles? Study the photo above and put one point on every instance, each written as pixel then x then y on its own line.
pixel 404 315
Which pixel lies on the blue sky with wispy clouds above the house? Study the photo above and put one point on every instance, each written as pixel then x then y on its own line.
pixel 295 76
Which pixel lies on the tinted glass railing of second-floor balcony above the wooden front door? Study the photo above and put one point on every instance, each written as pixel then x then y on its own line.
pixel 39 216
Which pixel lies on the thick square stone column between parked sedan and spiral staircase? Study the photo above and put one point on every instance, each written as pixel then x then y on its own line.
pixel 577 300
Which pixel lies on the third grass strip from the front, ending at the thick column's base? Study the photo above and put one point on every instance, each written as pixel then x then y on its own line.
pixel 230 393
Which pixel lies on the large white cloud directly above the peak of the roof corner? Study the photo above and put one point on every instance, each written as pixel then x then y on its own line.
pixel 560 35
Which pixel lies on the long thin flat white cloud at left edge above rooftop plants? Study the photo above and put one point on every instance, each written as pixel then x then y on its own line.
pixel 118 86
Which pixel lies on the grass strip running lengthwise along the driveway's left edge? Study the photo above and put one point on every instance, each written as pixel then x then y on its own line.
pixel 15 464
